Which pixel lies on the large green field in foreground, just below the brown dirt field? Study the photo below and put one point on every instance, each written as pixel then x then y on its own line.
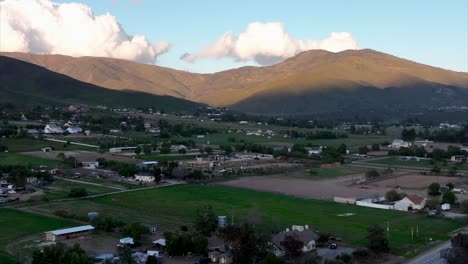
pixel 172 207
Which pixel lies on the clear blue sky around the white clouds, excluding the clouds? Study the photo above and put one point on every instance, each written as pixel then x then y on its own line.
pixel 430 32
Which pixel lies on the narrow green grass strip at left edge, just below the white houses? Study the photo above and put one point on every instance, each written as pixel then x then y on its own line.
pixel 32 144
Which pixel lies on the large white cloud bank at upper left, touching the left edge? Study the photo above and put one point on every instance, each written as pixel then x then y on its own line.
pixel 45 27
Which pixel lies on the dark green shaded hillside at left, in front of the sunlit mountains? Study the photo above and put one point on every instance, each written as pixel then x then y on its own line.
pixel 27 84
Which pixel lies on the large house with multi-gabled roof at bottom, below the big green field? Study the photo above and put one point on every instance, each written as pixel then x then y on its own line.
pixel 302 233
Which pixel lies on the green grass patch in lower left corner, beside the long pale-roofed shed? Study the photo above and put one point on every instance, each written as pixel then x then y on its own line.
pixel 16 224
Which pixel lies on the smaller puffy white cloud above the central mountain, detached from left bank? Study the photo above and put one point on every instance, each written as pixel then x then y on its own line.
pixel 268 43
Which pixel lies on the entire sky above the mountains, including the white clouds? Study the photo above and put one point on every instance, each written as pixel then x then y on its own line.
pixel 209 36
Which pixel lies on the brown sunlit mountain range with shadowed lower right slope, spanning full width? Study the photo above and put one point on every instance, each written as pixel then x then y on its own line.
pixel 311 83
